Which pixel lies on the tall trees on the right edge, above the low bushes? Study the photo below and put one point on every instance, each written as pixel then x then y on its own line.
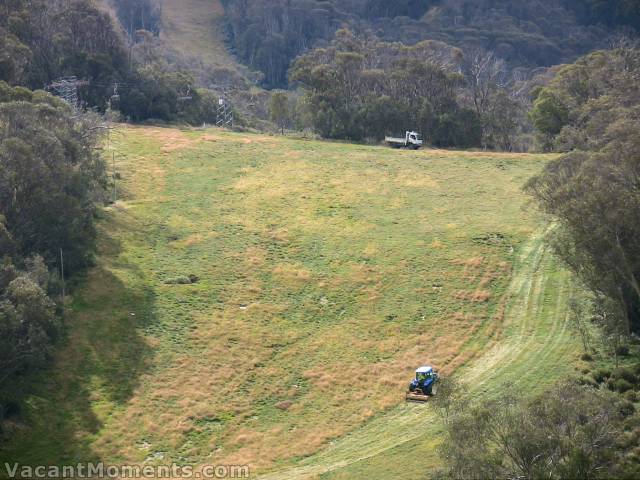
pixel 590 111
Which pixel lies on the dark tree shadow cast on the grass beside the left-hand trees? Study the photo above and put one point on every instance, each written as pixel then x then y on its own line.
pixel 95 370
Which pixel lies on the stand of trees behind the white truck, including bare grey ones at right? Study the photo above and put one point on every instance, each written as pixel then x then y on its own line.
pixel 361 88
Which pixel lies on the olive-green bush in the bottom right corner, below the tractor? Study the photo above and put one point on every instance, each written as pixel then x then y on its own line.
pixel 551 437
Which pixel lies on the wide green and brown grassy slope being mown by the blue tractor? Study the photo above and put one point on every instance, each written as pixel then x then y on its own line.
pixel 322 266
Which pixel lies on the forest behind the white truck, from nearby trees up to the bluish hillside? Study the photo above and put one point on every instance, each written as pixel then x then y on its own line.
pixel 370 86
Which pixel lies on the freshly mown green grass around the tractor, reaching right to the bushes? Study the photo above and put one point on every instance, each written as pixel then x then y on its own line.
pixel 537 350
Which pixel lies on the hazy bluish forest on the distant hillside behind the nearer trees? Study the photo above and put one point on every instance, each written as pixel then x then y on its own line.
pixel 268 35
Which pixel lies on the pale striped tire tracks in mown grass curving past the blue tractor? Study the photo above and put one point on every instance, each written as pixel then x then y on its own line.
pixel 536 339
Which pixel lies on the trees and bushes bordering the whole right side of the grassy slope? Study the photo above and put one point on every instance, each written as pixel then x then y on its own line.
pixel 586 427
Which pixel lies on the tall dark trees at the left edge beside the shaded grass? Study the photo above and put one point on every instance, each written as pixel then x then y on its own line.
pixel 51 181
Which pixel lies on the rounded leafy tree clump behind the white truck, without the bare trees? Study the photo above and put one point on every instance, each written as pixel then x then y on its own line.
pixel 424 94
